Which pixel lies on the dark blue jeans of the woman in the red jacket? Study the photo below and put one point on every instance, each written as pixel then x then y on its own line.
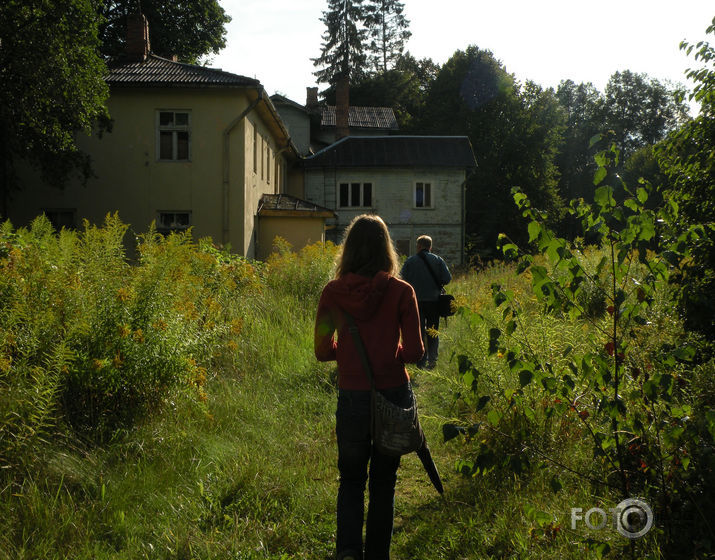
pixel 355 451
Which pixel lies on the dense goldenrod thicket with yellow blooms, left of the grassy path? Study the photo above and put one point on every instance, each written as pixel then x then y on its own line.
pixel 88 340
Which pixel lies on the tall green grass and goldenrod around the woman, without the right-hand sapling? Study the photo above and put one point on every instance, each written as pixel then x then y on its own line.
pixel 228 447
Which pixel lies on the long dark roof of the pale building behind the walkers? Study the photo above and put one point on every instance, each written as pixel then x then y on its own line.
pixel 396 151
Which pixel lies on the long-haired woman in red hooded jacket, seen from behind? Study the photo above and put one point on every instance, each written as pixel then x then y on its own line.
pixel 385 312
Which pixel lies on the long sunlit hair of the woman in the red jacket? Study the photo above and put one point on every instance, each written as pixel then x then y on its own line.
pixel 367 248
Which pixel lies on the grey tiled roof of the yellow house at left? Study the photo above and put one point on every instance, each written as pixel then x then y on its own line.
pixel 157 71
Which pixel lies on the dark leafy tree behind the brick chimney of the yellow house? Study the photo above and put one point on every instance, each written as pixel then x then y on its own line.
pixel 188 29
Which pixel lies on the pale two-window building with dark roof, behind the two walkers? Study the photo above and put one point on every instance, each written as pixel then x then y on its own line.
pixel 415 183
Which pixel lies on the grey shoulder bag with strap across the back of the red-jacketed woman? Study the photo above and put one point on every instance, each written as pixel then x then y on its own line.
pixel 395 430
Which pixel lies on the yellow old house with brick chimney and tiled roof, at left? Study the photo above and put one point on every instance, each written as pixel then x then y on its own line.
pixel 190 146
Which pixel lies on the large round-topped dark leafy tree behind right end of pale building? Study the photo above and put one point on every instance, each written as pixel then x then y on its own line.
pixel 514 132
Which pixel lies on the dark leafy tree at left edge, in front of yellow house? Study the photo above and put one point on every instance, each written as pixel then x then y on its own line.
pixel 52 87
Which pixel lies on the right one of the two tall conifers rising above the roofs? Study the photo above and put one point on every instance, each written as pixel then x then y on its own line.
pixel 387 29
